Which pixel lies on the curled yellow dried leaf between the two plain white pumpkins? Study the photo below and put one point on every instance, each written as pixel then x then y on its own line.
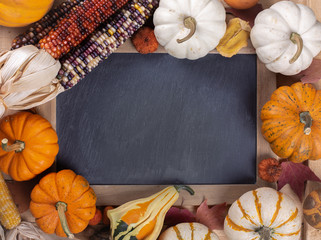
pixel 235 38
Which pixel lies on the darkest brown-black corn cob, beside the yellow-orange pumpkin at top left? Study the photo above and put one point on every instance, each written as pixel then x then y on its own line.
pixel 41 28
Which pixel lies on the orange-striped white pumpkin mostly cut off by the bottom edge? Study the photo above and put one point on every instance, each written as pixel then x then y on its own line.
pixel 188 231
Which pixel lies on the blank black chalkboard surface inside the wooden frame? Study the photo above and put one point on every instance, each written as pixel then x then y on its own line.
pixel 154 119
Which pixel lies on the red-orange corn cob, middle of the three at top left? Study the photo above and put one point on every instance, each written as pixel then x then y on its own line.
pixel 79 23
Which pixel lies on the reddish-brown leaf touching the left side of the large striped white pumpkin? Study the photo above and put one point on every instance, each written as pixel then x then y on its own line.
pixel 212 217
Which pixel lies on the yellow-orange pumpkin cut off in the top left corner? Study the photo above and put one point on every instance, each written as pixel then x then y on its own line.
pixel 20 13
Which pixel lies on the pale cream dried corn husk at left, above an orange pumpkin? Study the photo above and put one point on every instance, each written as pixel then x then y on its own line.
pixel 27 78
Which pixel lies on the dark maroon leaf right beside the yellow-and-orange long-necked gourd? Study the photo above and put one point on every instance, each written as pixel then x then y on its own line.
pixel 178 215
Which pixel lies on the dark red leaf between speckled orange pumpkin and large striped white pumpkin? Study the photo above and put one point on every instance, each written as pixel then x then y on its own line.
pixel 295 174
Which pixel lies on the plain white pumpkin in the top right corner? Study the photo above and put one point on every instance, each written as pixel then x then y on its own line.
pixel 286 36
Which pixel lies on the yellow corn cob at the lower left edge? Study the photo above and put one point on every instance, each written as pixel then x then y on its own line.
pixel 9 215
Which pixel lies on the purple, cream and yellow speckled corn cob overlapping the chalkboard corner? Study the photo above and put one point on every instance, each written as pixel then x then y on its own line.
pixel 104 41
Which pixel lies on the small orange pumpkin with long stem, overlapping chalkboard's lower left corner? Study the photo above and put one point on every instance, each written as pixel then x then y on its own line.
pixel 63 203
